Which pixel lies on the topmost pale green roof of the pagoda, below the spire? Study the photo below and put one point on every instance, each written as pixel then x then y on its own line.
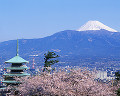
pixel 17 59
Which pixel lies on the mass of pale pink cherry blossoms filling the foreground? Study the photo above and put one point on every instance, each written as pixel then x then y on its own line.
pixel 74 82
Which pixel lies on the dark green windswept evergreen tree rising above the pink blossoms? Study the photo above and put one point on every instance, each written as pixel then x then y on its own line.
pixel 50 59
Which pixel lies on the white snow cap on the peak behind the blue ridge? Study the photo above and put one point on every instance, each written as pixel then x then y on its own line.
pixel 95 25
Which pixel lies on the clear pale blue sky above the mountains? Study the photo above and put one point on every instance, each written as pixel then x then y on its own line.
pixel 40 18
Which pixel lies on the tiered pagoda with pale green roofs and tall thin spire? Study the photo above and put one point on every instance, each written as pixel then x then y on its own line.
pixel 17 69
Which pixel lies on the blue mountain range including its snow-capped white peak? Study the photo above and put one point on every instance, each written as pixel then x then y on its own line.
pixel 92 39
